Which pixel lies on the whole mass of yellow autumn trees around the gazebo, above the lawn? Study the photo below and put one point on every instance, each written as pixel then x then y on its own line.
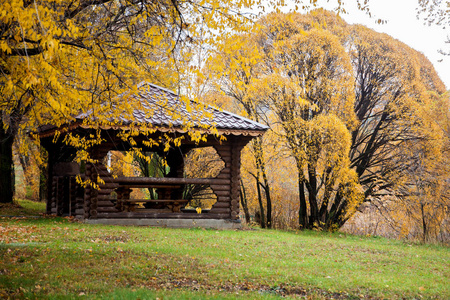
pixel 359 122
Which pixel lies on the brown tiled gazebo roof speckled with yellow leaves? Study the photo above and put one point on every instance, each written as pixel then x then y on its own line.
pixel 165 110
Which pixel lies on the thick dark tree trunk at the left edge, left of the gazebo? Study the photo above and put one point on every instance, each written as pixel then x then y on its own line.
pixel 6 166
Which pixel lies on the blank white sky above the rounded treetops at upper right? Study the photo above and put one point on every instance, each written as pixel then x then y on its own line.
pixel 403 25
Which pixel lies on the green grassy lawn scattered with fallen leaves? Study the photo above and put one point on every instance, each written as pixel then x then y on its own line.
pixel 58 258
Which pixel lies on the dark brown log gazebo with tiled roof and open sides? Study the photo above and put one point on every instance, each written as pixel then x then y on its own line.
pixel 107 199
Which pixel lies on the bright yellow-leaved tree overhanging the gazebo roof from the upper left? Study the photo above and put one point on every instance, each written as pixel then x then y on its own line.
pixel 62 58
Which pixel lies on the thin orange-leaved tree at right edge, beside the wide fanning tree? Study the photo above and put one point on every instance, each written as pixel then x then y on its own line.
pixel 423 197
